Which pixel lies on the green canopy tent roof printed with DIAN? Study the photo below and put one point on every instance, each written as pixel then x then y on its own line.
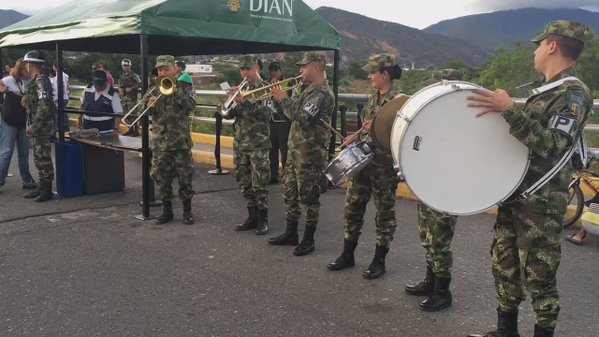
pixel 177 27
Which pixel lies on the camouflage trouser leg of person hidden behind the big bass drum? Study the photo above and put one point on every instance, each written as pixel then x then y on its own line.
pixel 436 231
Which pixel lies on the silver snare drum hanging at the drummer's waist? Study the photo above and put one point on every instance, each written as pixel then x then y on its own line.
pixel 349 162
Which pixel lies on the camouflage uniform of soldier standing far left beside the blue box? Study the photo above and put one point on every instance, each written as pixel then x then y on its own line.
pixel 41 106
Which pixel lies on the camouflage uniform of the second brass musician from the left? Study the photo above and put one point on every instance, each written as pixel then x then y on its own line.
pixel 251 145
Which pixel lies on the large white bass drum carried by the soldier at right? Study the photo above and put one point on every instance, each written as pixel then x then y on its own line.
pixel 451 160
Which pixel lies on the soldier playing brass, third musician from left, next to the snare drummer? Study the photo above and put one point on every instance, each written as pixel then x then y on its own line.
pixel 307 151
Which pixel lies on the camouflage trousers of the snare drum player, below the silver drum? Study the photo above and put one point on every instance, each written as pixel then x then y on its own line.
pixel 380 182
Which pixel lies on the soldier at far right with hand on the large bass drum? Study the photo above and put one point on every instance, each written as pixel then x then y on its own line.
pixel 526 248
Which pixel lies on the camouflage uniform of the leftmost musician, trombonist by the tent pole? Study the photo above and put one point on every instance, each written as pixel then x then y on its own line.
pixel 171 143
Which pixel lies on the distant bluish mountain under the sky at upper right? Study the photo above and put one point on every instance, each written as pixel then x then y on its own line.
pixel 491 30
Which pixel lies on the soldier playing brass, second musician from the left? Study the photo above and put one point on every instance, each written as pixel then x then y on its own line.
pixel 252 143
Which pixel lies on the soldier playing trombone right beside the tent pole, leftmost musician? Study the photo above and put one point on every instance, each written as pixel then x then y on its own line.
pixel 171 146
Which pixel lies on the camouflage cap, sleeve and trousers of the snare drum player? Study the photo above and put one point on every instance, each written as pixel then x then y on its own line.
pixel 378 177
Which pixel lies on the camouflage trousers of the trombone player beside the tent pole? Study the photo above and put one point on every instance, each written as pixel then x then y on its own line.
pixel 166 165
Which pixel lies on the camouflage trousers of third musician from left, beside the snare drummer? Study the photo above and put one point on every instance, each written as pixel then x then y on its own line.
pixel 302 186
